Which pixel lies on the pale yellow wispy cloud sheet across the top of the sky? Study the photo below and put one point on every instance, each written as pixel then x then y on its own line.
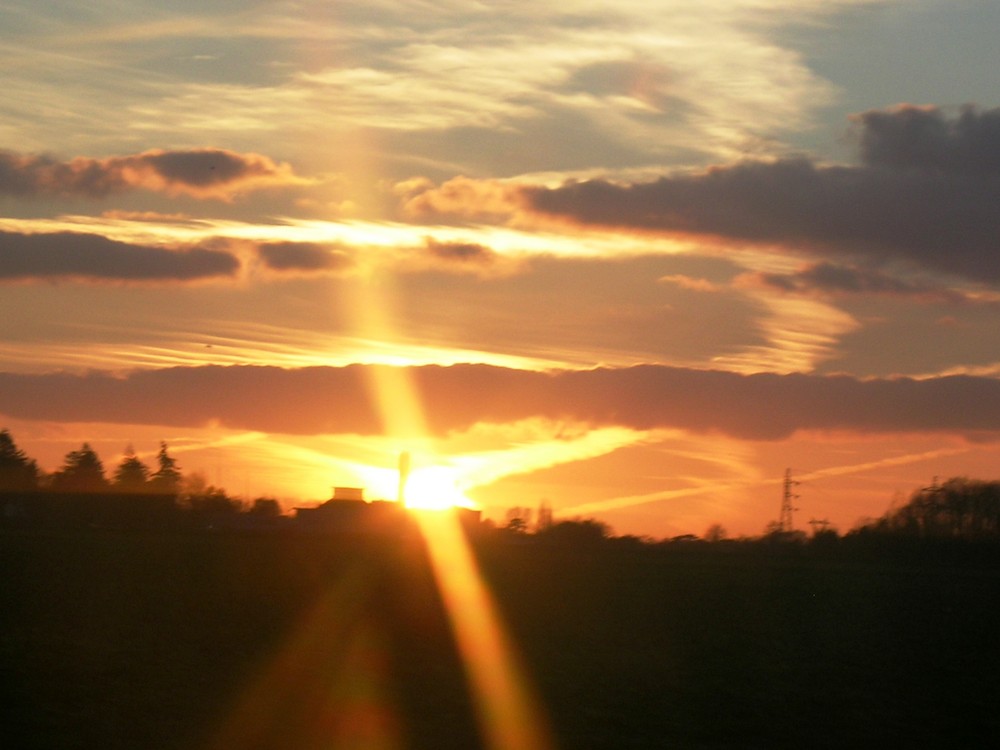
pixel 644 83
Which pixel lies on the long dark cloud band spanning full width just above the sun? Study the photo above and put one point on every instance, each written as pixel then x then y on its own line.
pixel 339 400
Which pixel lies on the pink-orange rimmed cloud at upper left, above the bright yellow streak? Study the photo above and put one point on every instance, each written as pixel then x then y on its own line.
pixel 199 173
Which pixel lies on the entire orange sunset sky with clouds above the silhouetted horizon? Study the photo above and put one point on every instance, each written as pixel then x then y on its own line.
pixel 631 260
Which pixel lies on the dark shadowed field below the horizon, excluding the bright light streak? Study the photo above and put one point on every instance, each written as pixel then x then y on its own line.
pixel 296 641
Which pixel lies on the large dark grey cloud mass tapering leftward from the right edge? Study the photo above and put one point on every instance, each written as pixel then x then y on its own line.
pixel 926 191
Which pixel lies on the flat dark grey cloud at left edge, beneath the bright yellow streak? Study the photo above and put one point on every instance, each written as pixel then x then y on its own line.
pixel 26 257
